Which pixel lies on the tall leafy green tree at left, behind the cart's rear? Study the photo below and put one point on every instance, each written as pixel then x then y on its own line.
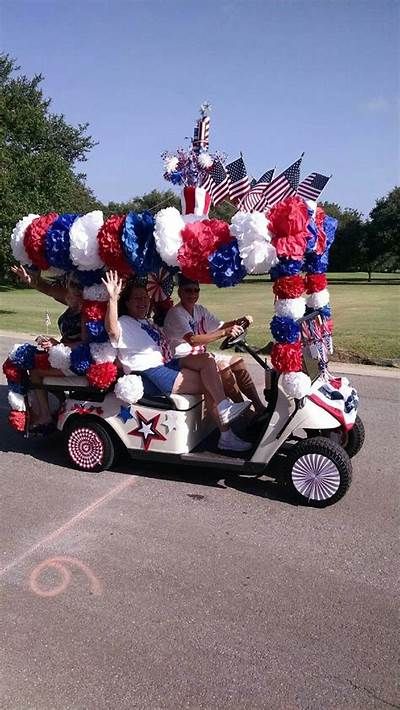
pixel 39 152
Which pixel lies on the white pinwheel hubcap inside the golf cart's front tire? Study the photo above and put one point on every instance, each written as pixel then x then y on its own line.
pixel 315 476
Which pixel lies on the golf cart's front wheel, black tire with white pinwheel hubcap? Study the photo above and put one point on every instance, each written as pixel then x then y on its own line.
pixel 318 471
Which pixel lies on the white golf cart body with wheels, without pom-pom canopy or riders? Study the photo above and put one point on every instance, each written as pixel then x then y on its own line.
pixel 297 442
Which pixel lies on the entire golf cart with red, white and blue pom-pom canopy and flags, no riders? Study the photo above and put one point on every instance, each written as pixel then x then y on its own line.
pixel 310 429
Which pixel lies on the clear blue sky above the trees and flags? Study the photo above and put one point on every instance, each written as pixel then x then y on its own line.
pixel 282 77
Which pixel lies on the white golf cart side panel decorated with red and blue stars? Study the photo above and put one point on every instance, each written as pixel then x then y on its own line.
pixel 142 428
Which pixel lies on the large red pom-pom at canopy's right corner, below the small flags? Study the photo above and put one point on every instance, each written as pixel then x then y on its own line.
pixel 288 224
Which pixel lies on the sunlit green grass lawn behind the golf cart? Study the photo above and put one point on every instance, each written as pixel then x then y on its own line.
pixel 366 315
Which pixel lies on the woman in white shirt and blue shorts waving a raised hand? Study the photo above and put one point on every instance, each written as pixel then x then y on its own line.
pixel 142 347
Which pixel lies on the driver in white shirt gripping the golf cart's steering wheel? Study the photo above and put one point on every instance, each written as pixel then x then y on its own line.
pixel 190 327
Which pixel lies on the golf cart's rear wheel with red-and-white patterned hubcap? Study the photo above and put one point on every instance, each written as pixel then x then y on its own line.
pixel 89 446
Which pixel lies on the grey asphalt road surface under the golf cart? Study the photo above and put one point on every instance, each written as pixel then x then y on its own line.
pixel 158 588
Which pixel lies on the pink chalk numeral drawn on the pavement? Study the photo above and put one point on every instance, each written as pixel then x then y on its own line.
pixel 60 565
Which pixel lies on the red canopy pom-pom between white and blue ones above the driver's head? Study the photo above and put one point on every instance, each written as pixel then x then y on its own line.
pixel 201 239
